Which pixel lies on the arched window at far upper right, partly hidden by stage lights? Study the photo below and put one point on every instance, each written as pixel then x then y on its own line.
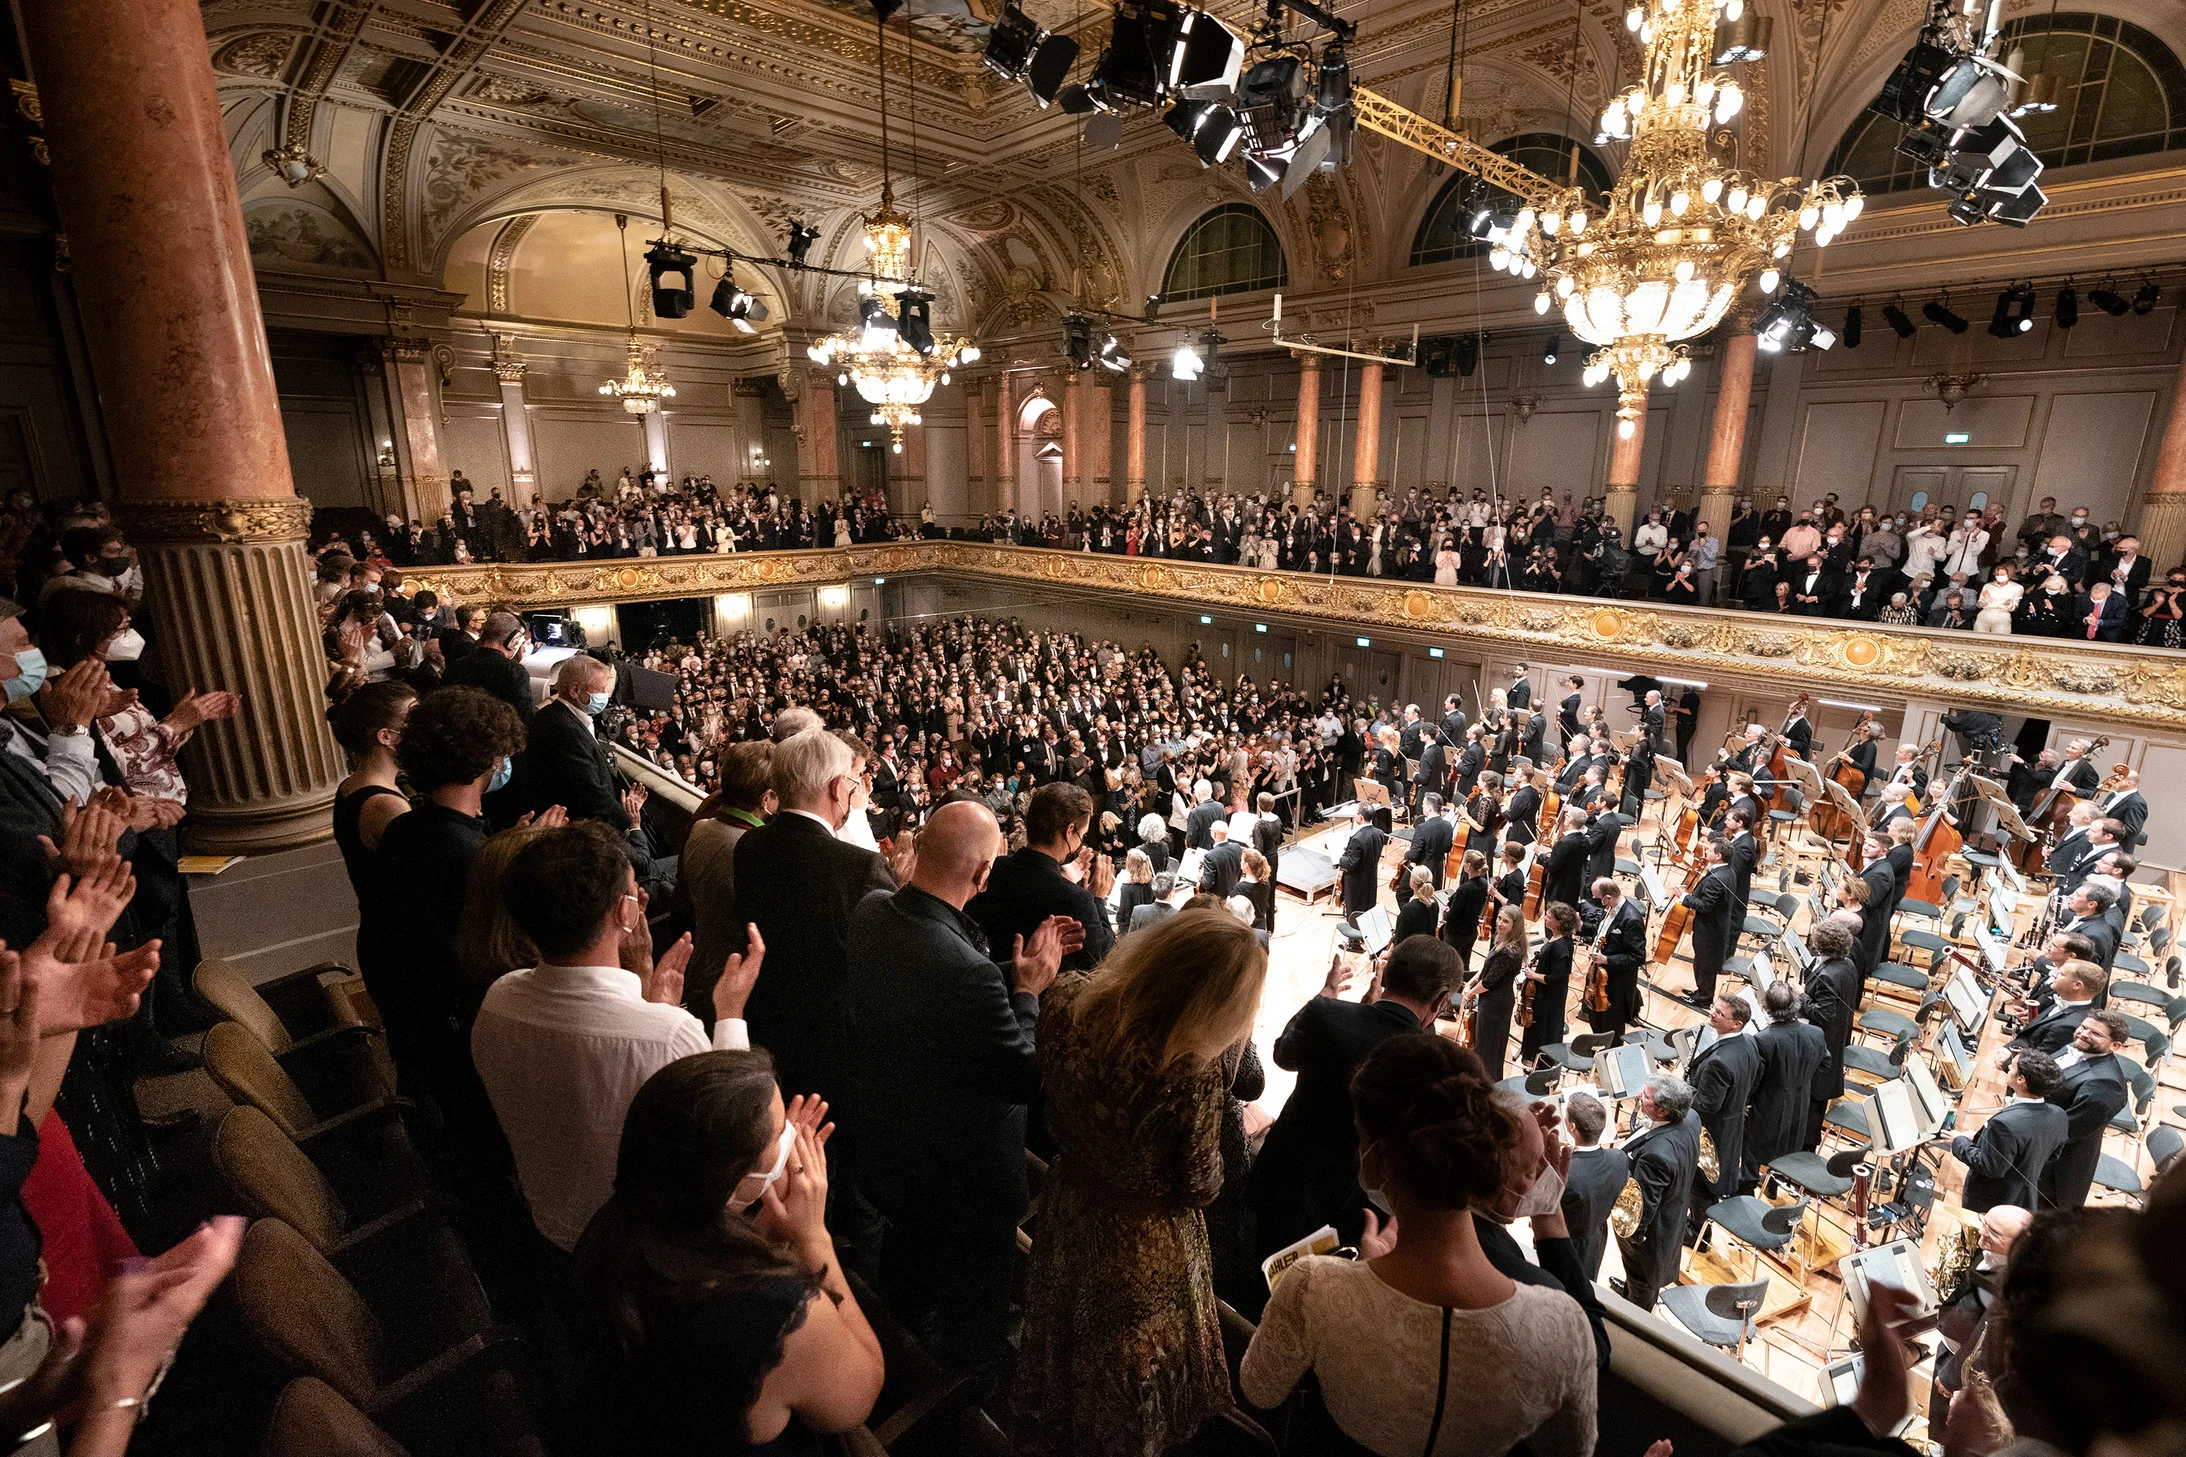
pixel 2122 95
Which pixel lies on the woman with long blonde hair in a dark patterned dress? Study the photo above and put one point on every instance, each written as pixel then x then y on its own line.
pixel 1123 1349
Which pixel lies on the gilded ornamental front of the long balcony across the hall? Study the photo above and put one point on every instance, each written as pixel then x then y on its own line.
pixel 2017 676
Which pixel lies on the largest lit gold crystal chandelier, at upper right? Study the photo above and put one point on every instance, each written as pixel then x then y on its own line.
pixel 1684 230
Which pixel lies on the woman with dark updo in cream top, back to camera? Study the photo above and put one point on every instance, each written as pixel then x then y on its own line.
pixel 1426 1345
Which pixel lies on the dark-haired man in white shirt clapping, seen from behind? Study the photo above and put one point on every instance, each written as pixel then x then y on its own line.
pixel 565 1047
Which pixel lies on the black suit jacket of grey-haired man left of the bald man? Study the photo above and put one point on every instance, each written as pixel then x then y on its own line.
pixel 799 886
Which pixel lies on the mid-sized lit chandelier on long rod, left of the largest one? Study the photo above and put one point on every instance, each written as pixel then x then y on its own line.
pixel 893 357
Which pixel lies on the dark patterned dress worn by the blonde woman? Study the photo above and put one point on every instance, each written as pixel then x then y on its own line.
pixel 1123 1351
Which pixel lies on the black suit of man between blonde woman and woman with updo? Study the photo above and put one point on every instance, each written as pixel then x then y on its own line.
pixel 1308 1168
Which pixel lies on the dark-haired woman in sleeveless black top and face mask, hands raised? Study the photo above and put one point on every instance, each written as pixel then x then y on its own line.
pixel 712 1275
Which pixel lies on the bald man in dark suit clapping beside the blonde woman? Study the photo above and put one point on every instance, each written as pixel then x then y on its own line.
pixel 941 1071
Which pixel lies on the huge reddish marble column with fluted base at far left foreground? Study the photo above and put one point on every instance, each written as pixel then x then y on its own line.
pixel 148 193
